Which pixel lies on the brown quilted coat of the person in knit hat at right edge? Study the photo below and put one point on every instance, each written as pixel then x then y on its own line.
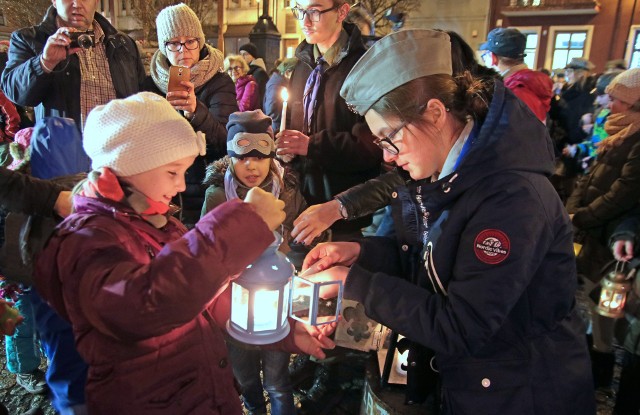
pixel 602 199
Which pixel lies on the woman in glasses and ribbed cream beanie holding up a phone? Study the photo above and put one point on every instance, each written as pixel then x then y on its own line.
pixel 207 100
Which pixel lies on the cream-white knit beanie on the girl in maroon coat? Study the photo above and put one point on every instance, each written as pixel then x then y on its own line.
pixel 138 134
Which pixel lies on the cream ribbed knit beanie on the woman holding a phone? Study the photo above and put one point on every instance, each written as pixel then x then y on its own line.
pixel 176 21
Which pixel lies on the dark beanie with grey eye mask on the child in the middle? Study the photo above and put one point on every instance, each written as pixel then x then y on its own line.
pixel 249 134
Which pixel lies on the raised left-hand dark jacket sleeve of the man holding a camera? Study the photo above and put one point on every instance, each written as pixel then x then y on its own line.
pixel 23 79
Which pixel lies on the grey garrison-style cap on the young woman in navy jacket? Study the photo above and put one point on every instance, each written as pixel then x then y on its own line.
pixel 393 61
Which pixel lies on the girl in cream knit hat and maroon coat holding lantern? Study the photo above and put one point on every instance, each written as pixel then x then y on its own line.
pixel 142 293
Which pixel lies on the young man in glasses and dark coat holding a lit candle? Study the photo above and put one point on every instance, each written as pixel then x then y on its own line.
pixel 332 147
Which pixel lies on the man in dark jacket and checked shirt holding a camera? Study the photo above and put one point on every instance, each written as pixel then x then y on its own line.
pixel 71 62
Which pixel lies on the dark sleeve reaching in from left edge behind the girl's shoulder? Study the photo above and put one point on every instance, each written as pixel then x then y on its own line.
pixel 25 194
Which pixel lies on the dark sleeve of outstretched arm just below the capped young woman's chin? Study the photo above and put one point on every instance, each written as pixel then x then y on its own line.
pixel 374 194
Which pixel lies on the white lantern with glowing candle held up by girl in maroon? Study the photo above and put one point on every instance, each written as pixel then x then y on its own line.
pixel 260 299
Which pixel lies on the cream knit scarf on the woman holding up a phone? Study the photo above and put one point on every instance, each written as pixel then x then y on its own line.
pixel 201 72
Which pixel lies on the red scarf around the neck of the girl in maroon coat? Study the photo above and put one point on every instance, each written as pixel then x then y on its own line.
pixel 103 183
